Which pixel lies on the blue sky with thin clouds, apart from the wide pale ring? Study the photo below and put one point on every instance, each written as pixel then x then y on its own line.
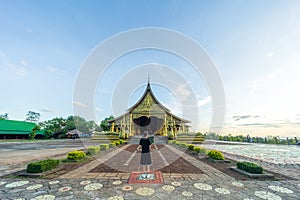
pixel 254 45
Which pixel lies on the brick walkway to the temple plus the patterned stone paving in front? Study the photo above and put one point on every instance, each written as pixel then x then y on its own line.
pixel 86 183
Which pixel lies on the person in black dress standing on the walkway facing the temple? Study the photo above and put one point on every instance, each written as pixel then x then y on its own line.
pixel 145 146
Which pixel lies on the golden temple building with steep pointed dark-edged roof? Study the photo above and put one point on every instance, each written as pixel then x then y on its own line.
pixel 148 114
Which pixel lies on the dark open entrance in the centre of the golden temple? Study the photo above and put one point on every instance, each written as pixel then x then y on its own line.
pixel 151 124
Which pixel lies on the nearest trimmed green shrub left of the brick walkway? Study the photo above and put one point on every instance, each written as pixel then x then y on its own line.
pixel 41 166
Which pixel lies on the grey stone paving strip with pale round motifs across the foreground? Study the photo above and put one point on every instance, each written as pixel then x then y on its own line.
pixel 215 189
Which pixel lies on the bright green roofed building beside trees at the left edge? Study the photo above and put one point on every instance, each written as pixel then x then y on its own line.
pixel 11 129
